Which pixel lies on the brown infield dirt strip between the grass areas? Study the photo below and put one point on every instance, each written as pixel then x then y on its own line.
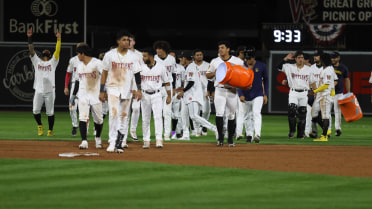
pixel 333 160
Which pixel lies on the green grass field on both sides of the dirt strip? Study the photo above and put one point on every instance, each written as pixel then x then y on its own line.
pixel 115 184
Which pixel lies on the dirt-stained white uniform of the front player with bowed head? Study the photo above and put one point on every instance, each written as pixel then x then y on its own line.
pixel 89 77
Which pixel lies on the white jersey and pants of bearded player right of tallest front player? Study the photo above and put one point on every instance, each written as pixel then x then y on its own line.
pixel 151 84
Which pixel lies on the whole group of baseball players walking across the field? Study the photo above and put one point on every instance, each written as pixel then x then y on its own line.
pixel 126 82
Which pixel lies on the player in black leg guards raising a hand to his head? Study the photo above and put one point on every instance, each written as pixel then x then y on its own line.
pixel 299 78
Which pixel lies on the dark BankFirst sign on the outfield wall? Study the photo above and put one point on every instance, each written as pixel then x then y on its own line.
pixel 45 17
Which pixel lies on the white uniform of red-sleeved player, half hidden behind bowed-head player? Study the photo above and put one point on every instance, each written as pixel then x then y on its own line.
pixel 71 68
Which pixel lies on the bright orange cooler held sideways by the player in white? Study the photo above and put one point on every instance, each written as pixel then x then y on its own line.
pixel 234 75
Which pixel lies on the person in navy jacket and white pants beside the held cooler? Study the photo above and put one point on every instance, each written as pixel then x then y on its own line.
pixel 252 100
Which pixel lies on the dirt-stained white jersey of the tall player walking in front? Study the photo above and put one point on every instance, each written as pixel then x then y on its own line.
pixel 121 70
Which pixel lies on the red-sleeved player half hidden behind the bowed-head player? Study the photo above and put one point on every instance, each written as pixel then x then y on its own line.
pixel 71 75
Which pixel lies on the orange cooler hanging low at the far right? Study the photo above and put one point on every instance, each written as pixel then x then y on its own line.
pixel 350 107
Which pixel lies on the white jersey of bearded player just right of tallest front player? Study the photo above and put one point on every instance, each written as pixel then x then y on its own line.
pixel 153 79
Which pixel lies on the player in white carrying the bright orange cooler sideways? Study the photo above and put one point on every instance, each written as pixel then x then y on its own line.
pixel 225 97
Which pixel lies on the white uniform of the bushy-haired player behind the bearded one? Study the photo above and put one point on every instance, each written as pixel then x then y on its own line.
pixel 170 63
